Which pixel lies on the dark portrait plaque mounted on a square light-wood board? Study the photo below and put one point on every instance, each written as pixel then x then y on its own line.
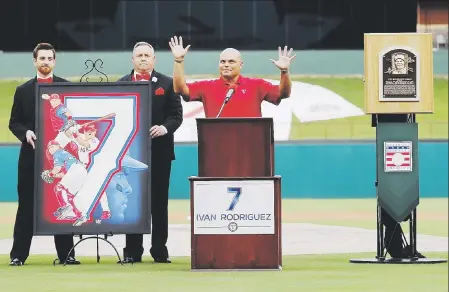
pixel 398 73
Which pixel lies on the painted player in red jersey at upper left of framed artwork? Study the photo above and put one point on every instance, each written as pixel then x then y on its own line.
pixel 61 119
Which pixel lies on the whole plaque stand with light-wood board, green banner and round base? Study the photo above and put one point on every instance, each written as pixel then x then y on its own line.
pixel 398 85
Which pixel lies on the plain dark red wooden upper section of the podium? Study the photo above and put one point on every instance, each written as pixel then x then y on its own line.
pixel 235 147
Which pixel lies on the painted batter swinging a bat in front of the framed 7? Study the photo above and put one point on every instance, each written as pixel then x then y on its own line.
pixel 86 143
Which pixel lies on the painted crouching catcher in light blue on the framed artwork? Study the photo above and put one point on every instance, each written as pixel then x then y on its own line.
pixel 72 173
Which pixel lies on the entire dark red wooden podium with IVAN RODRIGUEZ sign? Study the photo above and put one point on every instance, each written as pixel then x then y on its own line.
pixel 236 198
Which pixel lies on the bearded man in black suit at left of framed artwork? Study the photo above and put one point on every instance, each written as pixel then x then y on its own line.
pixel 22 125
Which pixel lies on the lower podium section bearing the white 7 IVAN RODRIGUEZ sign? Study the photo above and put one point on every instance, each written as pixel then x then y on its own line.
pixel 236 223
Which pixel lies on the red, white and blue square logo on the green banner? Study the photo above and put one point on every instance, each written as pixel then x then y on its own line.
pixel 398 156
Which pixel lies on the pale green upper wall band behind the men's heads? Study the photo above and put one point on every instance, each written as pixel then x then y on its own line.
pixel 19 65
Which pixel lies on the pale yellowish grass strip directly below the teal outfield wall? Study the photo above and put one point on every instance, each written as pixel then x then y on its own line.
pixel 432 214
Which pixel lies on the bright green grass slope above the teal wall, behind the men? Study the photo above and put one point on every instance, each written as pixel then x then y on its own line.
pixel 431 126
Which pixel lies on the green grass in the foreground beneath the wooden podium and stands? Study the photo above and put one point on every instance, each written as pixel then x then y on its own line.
pixel 301 273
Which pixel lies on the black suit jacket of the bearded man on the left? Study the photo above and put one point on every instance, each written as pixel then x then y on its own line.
pixel 23 117
